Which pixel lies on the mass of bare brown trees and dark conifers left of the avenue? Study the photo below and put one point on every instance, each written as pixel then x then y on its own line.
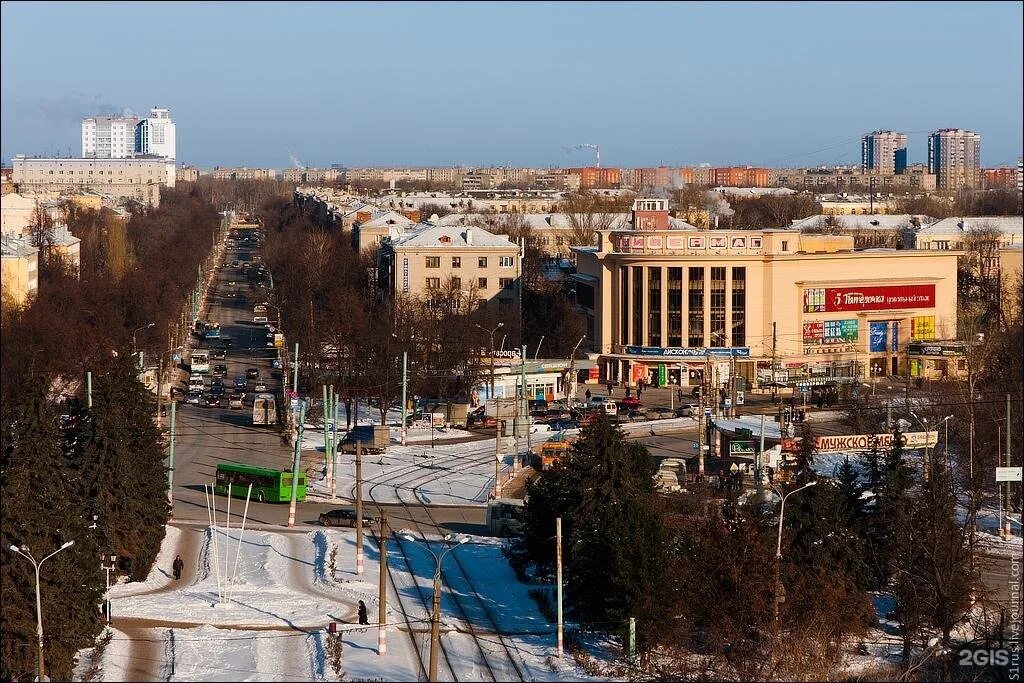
pixel 70 473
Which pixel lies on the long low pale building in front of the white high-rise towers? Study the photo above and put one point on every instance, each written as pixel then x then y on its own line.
pixel 132 179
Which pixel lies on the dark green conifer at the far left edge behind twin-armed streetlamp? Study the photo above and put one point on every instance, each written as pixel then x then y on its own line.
pixel 42 507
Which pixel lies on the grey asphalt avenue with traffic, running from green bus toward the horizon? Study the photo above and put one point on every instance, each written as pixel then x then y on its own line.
pixel 206 437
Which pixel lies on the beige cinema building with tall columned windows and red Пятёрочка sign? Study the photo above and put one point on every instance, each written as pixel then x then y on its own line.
pixel 671 307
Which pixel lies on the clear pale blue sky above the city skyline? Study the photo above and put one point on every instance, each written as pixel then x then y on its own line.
pixel 439 84
